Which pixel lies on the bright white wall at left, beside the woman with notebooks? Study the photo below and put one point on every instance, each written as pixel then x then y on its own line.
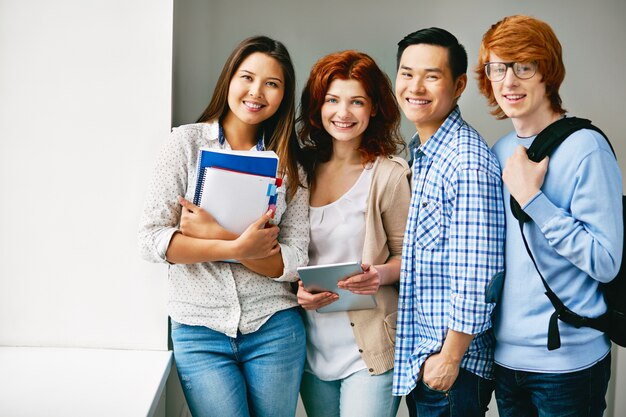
pixel 85 101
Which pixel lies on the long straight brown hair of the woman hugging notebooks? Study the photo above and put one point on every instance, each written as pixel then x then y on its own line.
pixel 279 130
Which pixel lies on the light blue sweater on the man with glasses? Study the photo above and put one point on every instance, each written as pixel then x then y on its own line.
pixel 576 239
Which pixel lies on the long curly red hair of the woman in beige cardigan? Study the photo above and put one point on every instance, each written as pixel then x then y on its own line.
pixel 382 136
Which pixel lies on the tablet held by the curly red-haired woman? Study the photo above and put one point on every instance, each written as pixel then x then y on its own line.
pixel 320 278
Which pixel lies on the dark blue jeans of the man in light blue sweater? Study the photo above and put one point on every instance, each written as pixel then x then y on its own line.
pixel 532 394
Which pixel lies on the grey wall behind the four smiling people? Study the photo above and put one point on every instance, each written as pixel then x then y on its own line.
pixel 592 35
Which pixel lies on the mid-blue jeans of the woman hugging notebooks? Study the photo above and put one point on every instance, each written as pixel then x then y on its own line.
pixel 256 374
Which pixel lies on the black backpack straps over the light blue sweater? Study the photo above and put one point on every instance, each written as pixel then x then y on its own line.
pixel 543 145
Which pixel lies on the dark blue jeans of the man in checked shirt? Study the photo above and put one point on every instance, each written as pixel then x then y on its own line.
pixel 469 396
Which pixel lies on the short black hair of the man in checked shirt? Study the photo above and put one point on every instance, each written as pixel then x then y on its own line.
pixel 457 56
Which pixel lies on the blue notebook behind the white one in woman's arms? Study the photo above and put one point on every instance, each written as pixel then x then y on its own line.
pixel 263 163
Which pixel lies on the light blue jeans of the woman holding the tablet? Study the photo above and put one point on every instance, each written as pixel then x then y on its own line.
pixel 359 394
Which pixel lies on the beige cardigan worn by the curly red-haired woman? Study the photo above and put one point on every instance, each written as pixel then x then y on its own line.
pixel 388 206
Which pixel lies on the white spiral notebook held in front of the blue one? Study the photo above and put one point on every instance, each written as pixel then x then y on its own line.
pixel 236 199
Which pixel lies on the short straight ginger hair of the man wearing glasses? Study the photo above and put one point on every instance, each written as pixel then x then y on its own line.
pixel 523 39
